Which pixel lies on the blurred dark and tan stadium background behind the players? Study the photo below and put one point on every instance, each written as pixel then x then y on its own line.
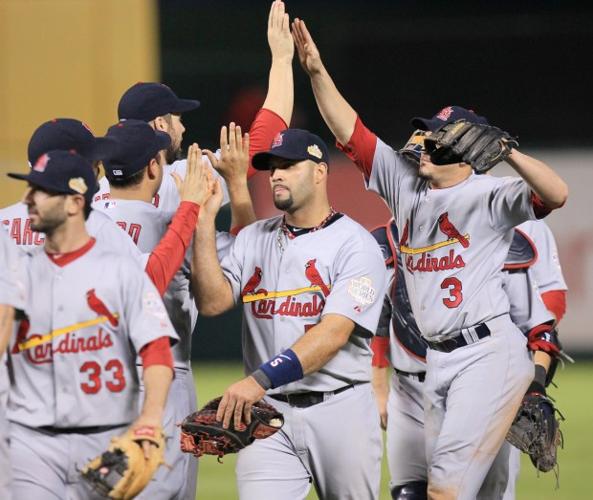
pixel 526 66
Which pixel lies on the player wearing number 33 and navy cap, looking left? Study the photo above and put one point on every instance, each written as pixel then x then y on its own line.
pixel 89 312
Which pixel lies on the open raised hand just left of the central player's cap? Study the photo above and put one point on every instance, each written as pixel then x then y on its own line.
pixel 234 154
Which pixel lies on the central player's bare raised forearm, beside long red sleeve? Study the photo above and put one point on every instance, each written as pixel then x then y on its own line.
pixel 212 290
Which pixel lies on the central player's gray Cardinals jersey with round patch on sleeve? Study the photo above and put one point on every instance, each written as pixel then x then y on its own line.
pixel 287 284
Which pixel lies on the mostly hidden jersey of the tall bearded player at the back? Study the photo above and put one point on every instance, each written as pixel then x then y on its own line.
pixel 167 198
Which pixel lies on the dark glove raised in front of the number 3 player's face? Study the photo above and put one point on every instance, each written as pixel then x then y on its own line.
pixel 481 146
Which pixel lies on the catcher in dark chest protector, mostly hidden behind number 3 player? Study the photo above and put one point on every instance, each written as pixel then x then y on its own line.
pixel 398 343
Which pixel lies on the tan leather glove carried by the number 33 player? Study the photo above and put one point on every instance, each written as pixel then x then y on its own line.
pixel 122 471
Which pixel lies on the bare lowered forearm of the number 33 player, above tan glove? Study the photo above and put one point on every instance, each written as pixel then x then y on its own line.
pixel 157 380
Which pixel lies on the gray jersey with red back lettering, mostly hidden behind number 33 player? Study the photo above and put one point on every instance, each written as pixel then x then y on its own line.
pixel 16 220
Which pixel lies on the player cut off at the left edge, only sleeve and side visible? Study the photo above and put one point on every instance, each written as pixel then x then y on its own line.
pixel 11 298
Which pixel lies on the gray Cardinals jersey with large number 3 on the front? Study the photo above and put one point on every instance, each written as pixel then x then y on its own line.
pixel 454 241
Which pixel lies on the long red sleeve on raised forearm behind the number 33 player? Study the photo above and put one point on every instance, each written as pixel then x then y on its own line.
pixel 167 256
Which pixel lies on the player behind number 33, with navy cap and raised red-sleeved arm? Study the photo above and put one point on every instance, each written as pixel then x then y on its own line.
pixel 70 134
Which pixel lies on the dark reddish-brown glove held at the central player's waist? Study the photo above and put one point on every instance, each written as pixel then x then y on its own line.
pixel 202 434
